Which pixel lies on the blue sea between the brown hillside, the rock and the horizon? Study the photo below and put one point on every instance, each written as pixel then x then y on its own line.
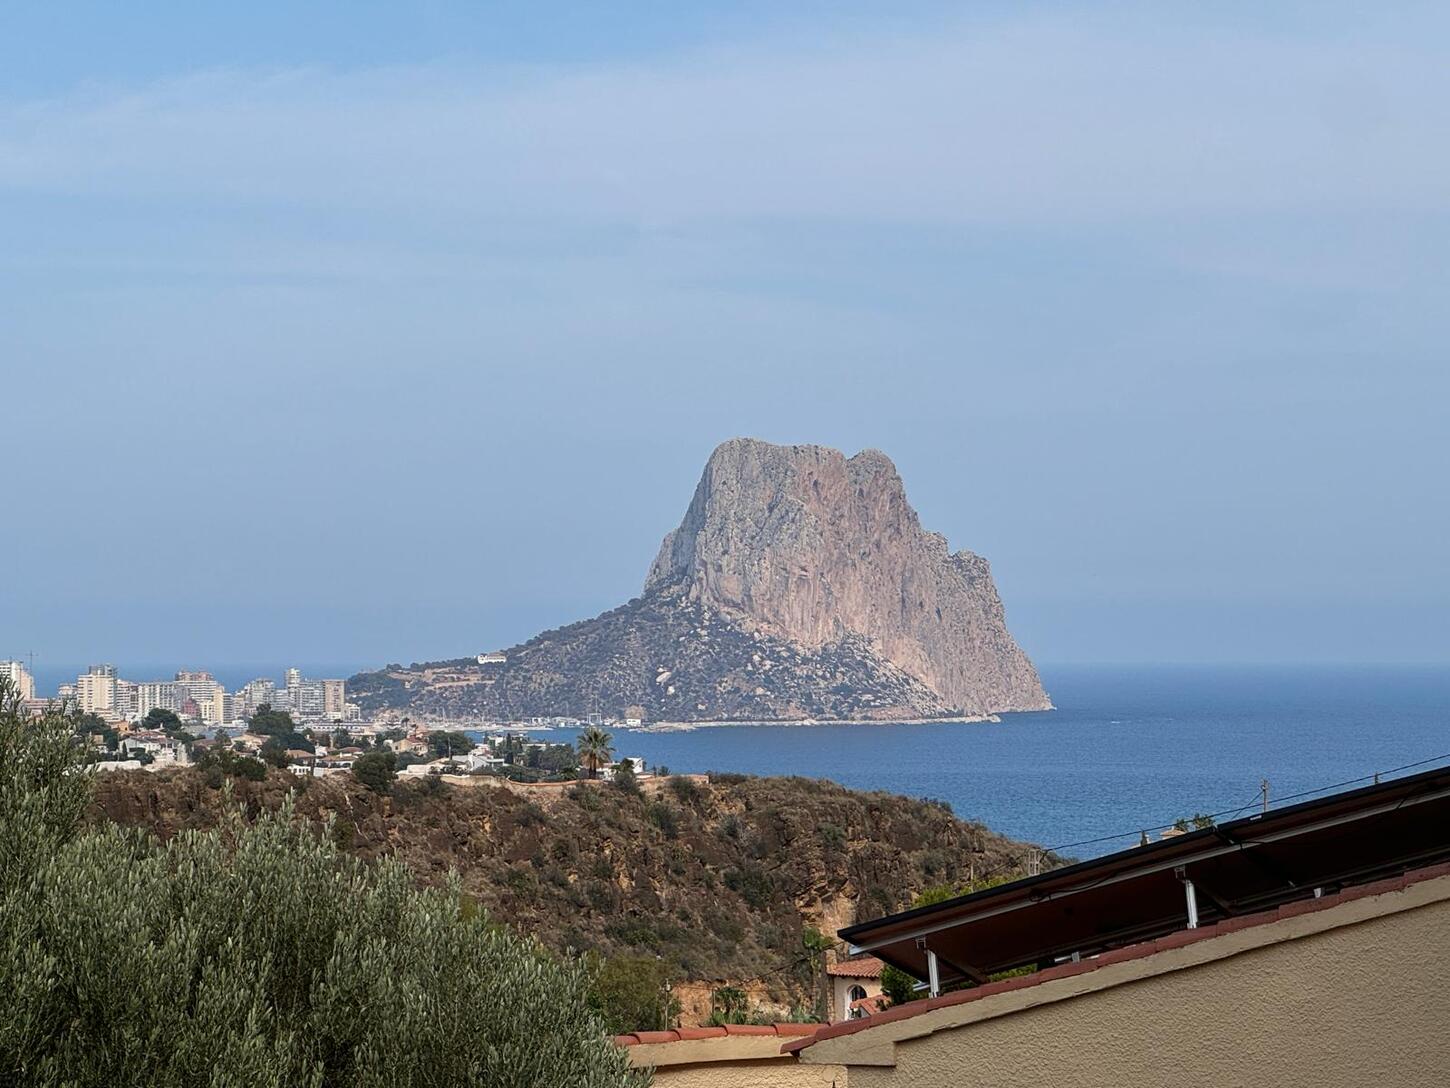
pixel 1126 749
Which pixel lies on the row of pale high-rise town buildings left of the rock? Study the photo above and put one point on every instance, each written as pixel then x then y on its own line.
pixel 195 697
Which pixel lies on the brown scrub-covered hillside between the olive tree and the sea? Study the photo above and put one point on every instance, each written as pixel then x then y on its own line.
pixel 718 878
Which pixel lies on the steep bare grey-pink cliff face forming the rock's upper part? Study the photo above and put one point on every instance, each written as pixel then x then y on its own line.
pixel 813 548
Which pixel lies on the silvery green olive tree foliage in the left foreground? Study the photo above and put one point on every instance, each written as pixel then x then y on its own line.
pixel 254 955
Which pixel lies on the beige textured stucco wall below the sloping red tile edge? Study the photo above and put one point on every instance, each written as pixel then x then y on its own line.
pixel 1365 1005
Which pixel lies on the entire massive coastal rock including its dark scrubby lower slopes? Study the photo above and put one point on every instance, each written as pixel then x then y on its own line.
pixel 800 585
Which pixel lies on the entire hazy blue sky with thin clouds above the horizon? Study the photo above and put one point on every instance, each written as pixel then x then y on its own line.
pixel 363 333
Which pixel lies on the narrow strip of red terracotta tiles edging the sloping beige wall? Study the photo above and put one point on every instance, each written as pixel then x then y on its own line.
pixel 1143 949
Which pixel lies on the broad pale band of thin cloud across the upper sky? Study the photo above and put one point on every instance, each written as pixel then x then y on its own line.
pixel 1043 121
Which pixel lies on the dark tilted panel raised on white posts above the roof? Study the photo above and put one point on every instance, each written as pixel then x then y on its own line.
pixel 1238 868
